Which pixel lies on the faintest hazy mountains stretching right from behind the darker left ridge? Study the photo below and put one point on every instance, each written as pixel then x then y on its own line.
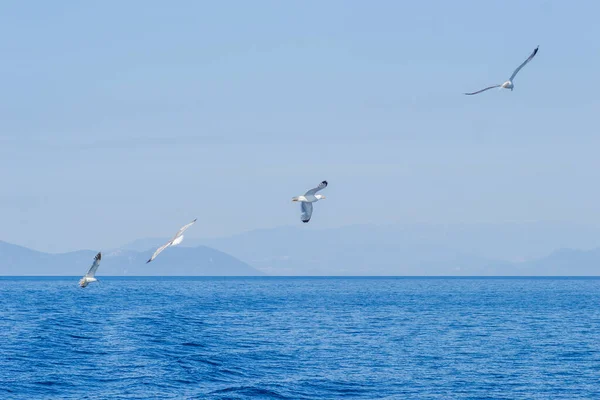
pixel 413 249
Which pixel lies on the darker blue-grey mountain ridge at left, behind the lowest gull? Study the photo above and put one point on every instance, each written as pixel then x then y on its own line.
pixel 176 261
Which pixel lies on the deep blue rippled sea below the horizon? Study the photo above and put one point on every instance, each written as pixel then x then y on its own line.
pixel 300 338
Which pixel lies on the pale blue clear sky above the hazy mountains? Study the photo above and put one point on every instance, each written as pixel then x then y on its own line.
pixel 123 120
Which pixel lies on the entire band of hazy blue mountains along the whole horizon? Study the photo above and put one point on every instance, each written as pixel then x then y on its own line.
pixel 512 249
